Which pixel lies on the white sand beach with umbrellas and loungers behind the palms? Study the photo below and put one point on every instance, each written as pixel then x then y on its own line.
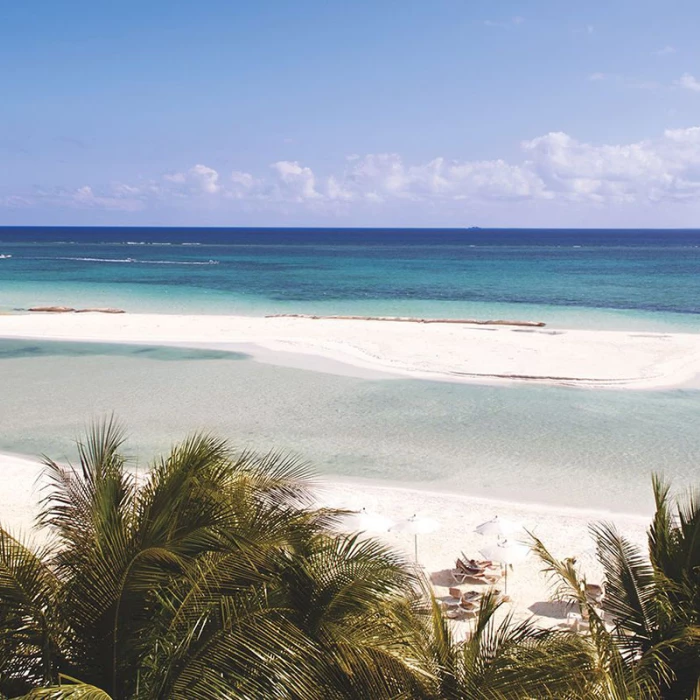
pixel 564 530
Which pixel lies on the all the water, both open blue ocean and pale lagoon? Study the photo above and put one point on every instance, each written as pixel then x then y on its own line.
pixel 564 446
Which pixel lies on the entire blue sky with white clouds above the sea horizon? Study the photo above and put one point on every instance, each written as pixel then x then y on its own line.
pixel 537 113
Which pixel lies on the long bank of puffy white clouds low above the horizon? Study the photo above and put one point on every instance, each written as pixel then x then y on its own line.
pixel 552 168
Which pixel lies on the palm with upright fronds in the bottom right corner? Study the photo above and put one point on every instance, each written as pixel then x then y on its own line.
pixel 652 601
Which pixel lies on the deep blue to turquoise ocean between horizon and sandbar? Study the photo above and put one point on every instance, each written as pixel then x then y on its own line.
pixel 574 278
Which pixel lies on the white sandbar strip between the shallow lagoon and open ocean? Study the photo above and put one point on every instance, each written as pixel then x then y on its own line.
pixel 449 352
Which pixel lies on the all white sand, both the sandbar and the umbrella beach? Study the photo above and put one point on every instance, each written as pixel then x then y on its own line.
pixel 600 359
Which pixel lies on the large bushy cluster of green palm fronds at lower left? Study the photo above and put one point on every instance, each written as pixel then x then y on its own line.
pixel 213 578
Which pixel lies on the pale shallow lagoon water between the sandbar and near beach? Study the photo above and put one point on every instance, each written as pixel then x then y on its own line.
pixel 540 444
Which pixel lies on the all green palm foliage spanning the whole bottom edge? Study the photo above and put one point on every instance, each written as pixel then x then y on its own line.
pixel 214 577
